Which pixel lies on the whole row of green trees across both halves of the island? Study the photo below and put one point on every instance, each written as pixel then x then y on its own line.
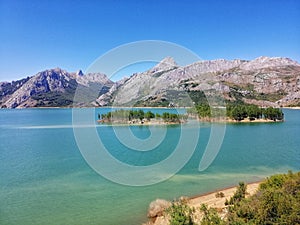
pixel 203 111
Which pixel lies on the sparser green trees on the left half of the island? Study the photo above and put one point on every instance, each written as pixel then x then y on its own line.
pixel 133 116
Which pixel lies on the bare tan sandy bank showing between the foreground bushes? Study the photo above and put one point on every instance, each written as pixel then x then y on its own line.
pixel 210 200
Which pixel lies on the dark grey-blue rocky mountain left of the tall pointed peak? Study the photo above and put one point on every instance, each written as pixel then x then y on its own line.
pixel 54 87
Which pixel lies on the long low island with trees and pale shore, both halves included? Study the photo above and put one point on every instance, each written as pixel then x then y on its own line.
pixel 232 113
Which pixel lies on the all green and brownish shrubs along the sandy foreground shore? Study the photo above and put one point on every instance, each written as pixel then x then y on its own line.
pixel 277 201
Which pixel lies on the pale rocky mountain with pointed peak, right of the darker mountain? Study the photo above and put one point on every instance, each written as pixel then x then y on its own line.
pixel 263 81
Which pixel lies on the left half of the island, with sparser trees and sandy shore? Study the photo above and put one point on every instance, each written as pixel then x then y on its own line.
pixel 139 117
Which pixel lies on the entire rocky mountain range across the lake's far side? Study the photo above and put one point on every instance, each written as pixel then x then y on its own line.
pixel 264 81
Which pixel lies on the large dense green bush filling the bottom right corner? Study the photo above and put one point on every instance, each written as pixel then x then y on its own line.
pixel 276 202
